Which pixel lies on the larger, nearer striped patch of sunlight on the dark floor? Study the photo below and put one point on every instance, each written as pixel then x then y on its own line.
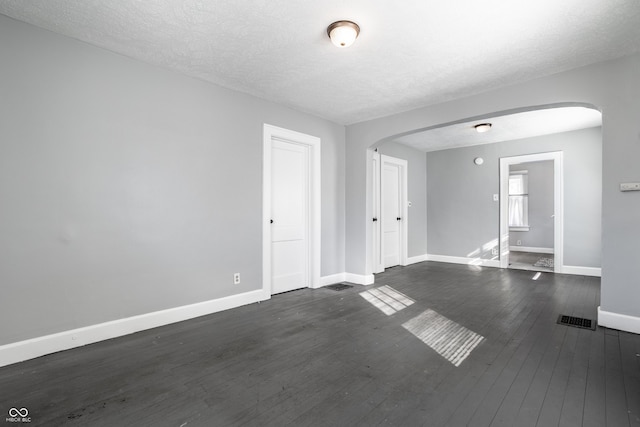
pixel 452 341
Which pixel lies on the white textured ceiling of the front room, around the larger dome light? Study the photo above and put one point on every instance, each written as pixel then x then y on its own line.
pixel 409 54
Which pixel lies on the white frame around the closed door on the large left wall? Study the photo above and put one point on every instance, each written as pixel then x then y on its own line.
pixel 269 134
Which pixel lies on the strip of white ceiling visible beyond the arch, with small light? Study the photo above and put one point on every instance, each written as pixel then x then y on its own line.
pixel 507 127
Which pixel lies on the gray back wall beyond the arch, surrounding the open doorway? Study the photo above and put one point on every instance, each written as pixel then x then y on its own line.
pixel 463 218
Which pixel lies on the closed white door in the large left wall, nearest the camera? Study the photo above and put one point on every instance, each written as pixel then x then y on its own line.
pixel 290 216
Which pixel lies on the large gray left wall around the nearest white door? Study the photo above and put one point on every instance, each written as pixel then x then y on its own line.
pixel 126 189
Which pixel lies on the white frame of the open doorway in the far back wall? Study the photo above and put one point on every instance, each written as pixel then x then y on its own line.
pixel 558 204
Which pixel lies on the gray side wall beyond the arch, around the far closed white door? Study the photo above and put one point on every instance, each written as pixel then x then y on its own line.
pixel 417 192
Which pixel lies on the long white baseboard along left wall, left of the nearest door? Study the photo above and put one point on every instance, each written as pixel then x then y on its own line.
pixel 36 347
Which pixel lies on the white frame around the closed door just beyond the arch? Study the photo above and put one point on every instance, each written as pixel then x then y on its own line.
pixel 378 240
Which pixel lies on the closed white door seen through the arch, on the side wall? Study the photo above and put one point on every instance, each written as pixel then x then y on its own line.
pixel 391 217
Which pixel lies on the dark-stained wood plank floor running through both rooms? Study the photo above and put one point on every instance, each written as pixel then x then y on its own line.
pixel 329 358
